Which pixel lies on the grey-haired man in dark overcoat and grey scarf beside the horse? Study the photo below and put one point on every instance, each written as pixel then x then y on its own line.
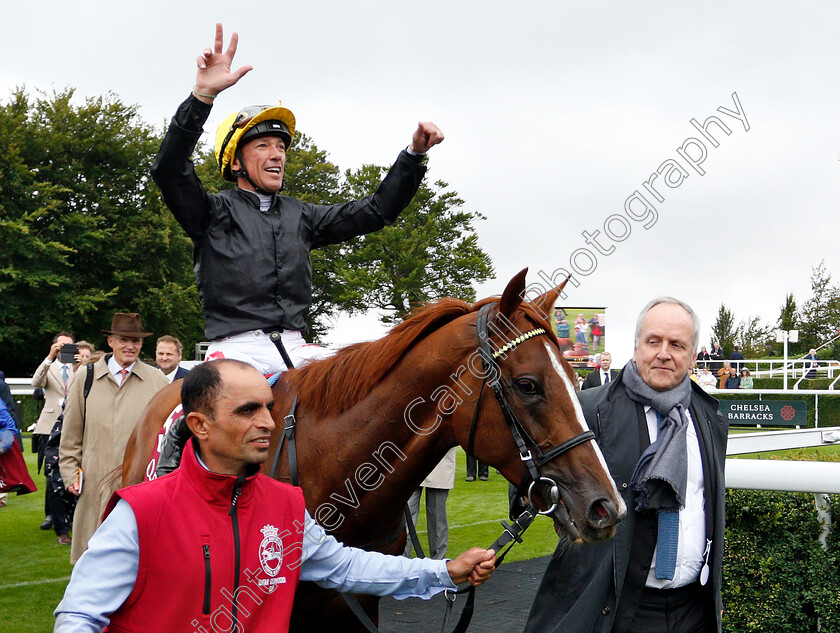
pixel 662 570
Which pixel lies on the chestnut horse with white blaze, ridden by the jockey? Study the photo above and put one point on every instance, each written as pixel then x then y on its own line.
pixel 375 418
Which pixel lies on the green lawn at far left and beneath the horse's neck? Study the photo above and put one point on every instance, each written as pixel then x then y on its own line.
pixel 34 568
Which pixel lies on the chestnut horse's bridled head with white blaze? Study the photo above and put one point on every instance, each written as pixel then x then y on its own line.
pixel 529 407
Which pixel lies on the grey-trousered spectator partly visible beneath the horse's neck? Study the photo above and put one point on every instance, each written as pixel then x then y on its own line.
pixel 437 486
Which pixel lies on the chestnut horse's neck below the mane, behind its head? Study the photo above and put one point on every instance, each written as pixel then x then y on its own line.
pixel 374 455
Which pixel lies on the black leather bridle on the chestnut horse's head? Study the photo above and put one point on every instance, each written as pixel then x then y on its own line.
pixel 533 458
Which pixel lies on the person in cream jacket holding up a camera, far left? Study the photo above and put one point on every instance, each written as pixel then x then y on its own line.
pixel 53 376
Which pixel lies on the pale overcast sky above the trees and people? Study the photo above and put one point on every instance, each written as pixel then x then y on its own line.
pixel 555 113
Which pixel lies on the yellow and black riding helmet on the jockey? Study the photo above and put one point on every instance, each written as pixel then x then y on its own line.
pixel 248 123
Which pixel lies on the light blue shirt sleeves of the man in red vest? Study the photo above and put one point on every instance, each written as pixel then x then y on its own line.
pixel 104 576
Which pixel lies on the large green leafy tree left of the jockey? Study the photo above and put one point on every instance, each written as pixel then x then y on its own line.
pixel 87 232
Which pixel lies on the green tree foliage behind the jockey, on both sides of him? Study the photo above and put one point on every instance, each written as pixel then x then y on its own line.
pixel 86 233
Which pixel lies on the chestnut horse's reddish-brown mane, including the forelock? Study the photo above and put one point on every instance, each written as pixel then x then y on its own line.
pixel 335 384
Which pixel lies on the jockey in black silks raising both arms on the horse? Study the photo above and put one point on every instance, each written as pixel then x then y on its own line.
pixel 252 244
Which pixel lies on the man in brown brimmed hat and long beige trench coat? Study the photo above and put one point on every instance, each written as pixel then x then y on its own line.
pixel 97 424
